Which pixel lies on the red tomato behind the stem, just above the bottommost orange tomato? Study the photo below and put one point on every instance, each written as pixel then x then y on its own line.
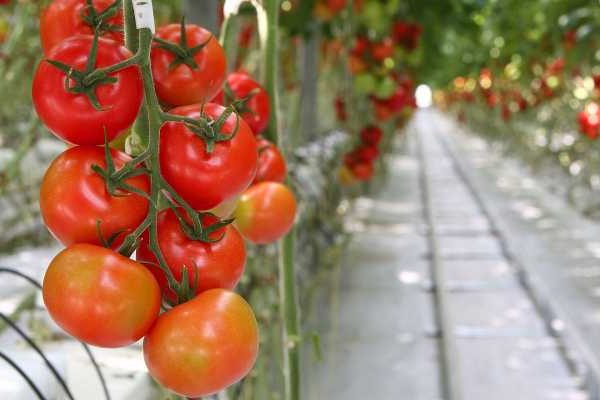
pixel 216 265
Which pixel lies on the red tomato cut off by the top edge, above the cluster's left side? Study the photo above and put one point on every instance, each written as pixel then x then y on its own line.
pixel 64 19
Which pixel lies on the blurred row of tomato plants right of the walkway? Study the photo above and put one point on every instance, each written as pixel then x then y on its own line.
pixel 539 96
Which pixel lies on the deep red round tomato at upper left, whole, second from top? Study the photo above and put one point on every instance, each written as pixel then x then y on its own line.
pixel 71 116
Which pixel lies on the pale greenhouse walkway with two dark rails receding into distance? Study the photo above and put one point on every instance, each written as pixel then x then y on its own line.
pixel 464 280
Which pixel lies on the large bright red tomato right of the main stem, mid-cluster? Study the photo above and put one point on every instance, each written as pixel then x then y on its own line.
pixel 207 179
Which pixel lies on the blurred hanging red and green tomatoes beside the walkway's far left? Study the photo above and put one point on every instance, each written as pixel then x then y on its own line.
pixel 381 80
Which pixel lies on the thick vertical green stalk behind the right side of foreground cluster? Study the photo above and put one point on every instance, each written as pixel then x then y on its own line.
pixel 269 16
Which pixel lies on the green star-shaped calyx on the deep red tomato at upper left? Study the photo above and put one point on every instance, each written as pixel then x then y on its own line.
pixel 85 82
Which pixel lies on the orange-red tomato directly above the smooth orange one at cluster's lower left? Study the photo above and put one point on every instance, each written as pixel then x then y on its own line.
pixel 74 198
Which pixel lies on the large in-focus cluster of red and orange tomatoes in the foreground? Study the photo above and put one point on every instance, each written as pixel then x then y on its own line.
pixel 210 162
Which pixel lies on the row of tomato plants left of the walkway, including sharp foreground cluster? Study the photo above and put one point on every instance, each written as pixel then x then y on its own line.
pixel 196 157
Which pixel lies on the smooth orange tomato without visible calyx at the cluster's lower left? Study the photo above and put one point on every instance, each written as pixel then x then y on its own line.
pixel 99 296
